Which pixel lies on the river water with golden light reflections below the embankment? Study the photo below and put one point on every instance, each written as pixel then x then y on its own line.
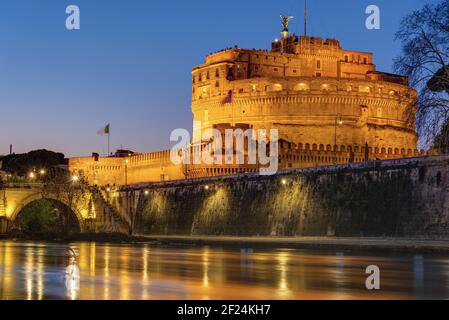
pixel 38 270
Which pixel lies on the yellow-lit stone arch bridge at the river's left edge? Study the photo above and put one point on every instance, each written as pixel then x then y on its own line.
pixel 92 207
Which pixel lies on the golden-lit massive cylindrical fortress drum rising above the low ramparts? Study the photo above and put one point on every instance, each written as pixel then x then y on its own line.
pixel 319 96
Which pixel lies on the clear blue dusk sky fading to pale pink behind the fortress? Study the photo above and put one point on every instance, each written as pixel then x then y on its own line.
pixel 130 64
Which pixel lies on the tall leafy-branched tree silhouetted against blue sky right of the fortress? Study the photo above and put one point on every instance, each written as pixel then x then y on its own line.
pixel 424 35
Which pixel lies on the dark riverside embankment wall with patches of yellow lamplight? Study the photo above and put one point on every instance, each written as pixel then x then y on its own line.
pixel 393 198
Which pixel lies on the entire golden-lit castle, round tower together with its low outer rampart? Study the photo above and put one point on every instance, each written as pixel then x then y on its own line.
pixel 329 105
